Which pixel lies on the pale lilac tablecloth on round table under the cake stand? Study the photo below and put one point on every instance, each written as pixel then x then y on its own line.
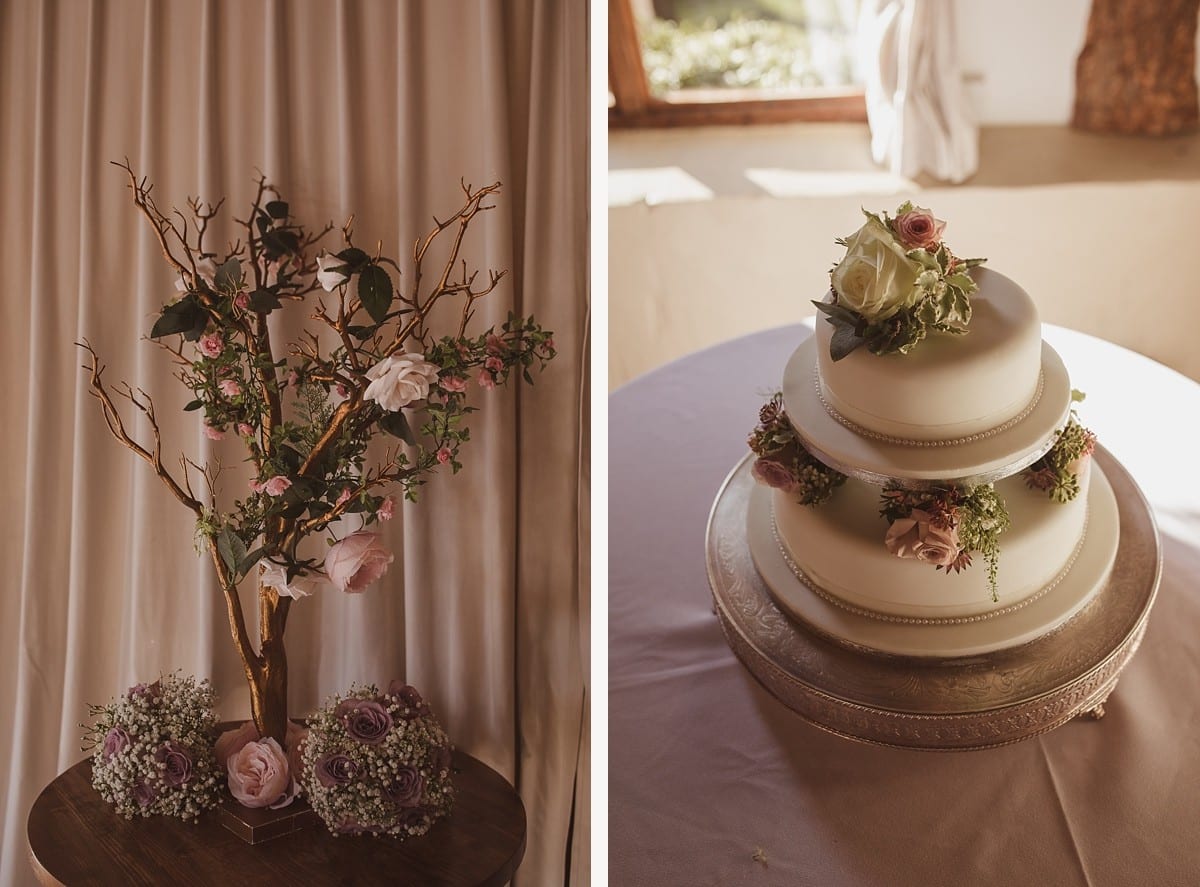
pixel 707 771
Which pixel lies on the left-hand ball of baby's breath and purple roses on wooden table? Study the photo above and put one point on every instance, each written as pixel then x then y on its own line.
pixel 154 750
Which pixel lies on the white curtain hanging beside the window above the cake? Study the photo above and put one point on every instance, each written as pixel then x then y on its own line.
pixel 916 103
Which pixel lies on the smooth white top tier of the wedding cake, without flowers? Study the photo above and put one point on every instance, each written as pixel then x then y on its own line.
pixel 949 386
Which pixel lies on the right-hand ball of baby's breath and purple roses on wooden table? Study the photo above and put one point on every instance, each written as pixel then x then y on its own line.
pixel 377 764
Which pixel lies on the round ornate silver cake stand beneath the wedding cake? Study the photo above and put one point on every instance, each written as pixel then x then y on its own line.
pixel 977 703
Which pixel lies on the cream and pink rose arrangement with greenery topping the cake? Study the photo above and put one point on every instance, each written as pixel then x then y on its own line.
pixel 897 283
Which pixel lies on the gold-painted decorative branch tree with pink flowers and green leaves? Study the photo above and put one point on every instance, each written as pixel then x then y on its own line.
pixel 307 416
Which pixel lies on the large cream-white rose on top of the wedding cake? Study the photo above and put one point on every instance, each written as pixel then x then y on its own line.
pixel 875 279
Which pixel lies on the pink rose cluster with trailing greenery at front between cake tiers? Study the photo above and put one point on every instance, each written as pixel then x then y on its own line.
pixel 945 526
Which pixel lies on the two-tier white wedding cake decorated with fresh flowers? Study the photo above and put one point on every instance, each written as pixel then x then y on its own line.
pixel 927 489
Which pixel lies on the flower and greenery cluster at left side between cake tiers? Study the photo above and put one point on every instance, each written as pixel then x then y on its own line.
pixel 784 463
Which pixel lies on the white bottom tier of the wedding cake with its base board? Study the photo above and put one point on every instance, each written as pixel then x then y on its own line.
pixel 829 568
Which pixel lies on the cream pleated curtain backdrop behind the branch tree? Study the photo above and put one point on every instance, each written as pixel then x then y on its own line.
pixel 374 109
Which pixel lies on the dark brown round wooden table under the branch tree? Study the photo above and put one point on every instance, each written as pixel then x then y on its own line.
pixel 76 838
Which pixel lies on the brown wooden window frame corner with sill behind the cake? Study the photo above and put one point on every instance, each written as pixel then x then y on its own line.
pixel 635 107
